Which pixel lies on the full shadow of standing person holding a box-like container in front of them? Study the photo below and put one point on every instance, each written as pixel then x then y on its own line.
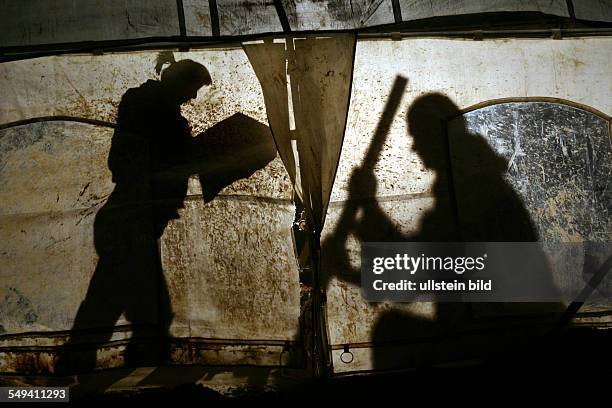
pixel 152 156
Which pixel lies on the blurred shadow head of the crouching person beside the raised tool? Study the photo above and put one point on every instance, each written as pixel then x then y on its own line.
pixel 427 118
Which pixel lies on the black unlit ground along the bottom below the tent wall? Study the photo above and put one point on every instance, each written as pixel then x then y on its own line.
pixel 571 369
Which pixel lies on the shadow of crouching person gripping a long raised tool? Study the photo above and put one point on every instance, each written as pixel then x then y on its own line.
pixel 365 220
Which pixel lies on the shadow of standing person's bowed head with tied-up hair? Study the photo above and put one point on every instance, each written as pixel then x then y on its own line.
pixel 182 79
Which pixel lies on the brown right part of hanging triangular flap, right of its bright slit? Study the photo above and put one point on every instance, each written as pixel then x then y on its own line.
pixel 320 88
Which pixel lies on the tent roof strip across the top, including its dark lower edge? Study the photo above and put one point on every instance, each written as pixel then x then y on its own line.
pixel 39 27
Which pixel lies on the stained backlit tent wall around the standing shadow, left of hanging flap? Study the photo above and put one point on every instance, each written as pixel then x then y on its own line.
pixel 228 264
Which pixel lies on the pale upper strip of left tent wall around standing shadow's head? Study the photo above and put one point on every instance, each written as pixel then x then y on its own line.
pixel 88 86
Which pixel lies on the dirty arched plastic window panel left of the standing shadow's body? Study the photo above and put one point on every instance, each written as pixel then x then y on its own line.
pixel 54 180
